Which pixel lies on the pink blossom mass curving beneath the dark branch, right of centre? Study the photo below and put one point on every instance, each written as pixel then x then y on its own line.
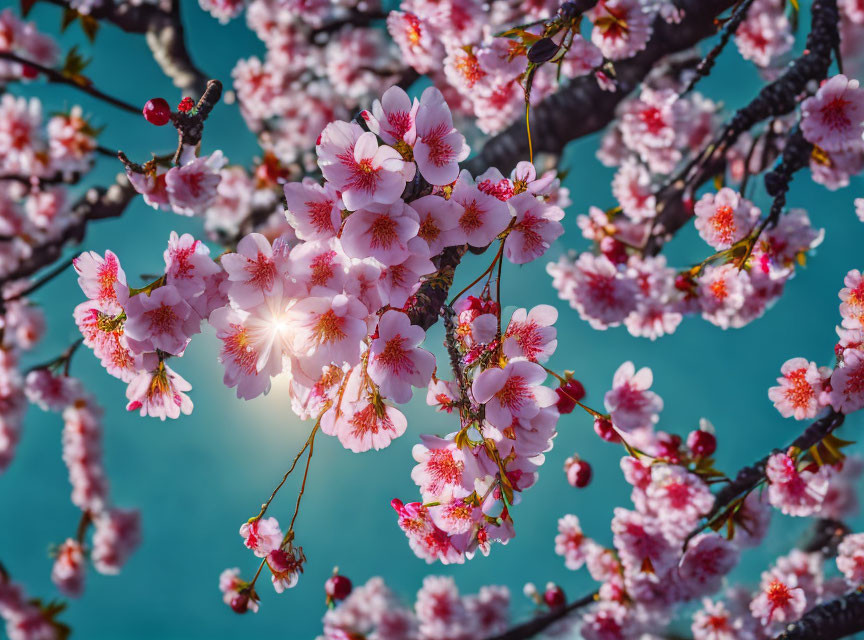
pixel 623 282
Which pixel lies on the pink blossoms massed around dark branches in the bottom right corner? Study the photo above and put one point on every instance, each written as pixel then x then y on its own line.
pixel 659 555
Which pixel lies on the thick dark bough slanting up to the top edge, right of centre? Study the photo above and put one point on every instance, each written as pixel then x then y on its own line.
pixel 583 107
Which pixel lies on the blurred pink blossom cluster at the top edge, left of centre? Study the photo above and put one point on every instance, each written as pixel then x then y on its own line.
pixel 318 67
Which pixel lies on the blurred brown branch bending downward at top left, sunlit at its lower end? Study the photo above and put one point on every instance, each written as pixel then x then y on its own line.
pixel 164 32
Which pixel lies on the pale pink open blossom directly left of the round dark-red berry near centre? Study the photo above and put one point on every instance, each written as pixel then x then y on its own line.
pixel 513 392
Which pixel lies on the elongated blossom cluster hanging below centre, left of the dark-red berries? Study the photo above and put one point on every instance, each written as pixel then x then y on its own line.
pixel 470 479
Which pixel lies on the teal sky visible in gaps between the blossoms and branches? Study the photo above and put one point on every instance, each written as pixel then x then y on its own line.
pixel 198 478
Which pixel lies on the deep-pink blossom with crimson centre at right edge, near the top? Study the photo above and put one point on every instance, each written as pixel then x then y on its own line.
pixel 833 119
